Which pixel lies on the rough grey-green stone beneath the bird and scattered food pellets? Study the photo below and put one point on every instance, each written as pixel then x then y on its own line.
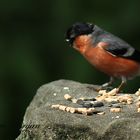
pixel 41 122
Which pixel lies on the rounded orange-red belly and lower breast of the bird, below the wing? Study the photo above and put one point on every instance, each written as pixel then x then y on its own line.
pixel 111 65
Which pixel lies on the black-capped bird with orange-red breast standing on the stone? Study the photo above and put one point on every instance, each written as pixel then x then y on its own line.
pixel 105 51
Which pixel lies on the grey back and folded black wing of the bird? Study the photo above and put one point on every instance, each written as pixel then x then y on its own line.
pixel 116 46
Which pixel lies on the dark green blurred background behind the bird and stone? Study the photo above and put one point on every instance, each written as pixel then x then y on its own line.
pixel 33 50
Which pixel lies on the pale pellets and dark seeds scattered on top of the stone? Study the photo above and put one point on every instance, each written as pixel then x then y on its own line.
pixel 91 105
